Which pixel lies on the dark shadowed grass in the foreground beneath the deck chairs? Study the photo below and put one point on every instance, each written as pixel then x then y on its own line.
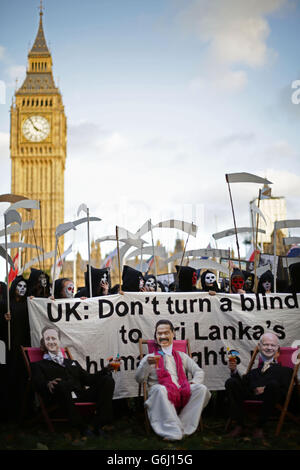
pixel 129 434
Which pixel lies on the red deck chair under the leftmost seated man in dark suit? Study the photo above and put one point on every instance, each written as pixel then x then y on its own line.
pixel 49 413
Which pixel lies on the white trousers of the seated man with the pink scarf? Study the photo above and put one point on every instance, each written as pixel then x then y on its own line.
pixel 163 416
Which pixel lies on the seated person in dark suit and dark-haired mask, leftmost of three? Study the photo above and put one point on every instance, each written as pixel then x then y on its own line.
pixel 64 381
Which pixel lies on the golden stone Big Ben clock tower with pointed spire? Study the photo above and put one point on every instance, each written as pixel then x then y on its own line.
pixel 38 147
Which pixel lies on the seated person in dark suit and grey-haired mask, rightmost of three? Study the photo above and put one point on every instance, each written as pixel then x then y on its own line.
pixel 269 383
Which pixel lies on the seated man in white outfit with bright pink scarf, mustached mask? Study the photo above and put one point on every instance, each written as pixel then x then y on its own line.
pixel 174 405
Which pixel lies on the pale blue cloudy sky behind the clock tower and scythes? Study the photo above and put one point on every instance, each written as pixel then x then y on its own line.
pixel 163 98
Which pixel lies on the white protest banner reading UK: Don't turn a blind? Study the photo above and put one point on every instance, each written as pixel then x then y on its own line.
pixel 99 327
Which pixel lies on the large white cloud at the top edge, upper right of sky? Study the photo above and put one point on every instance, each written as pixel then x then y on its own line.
pixel 235 34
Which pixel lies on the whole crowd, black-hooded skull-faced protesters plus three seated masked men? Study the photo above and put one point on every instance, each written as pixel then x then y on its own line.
pixel 175 403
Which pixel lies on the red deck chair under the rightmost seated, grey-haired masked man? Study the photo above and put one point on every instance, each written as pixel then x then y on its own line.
pixel 288 357
